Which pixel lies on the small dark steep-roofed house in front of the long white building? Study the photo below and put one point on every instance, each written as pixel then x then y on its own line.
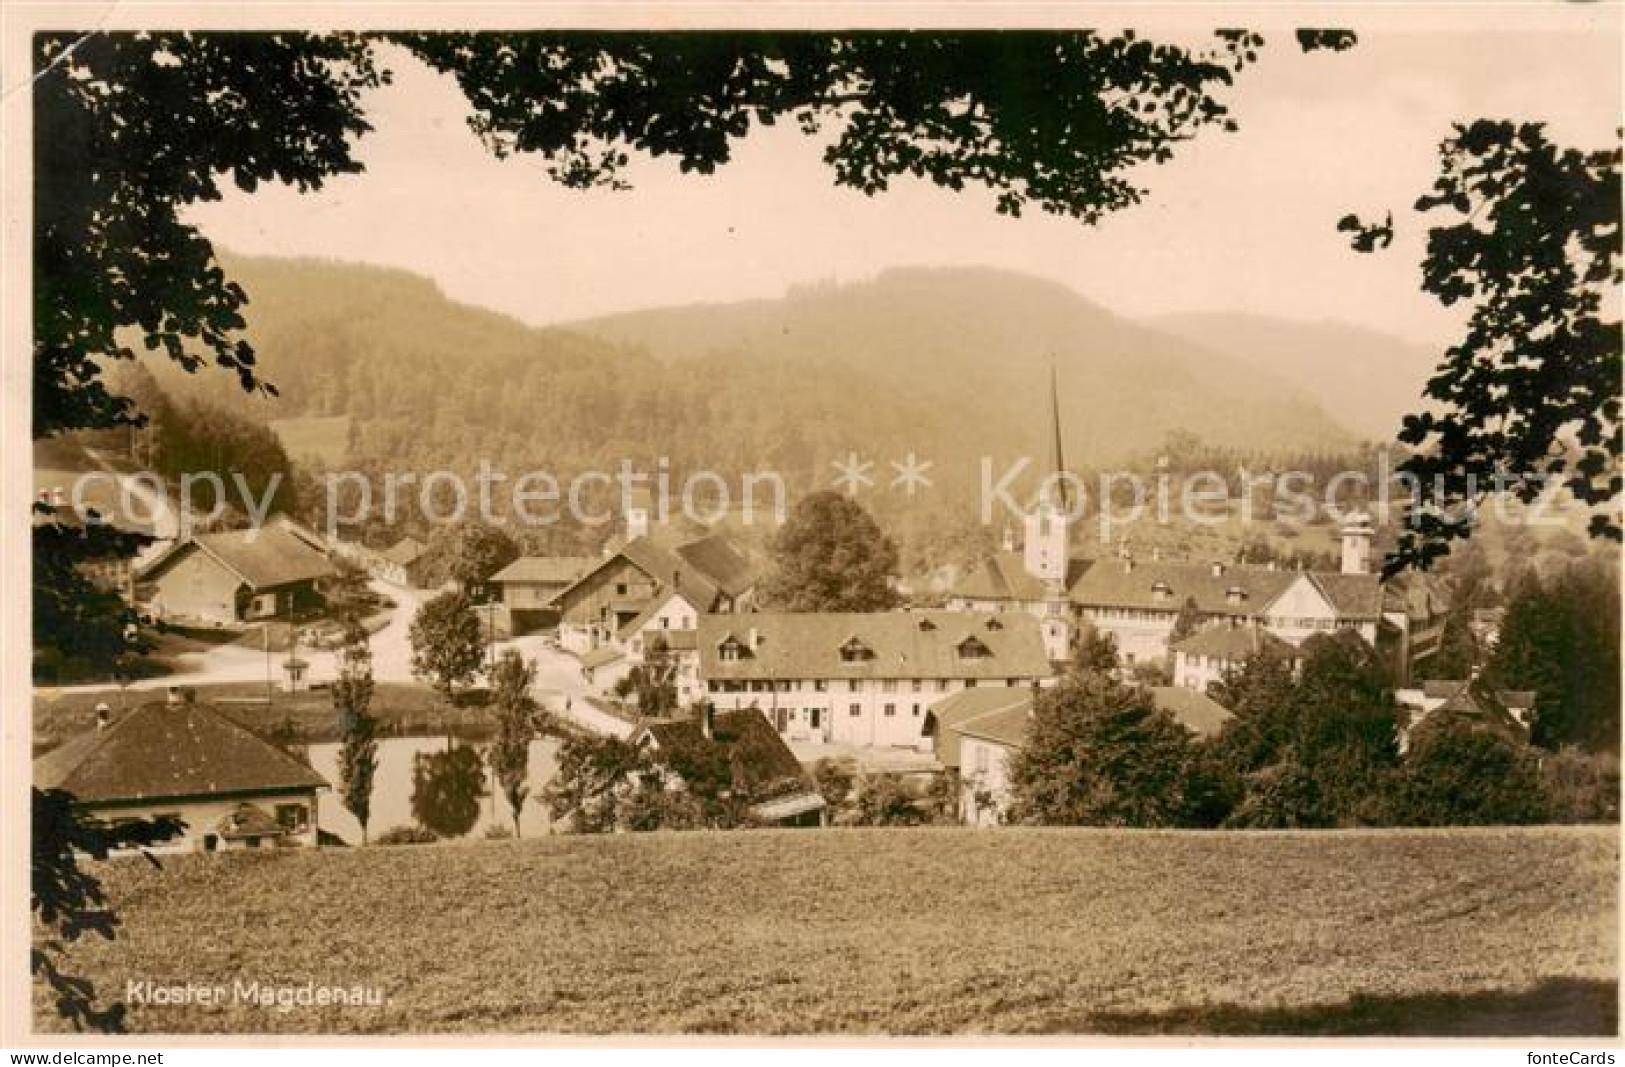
pixel 758 758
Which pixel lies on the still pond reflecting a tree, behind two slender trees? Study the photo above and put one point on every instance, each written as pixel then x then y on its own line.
pixel 467 782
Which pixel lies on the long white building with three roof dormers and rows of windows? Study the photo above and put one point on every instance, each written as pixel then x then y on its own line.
pixel 864 678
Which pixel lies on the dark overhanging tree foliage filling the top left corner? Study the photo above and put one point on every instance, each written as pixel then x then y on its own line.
pixel 131 129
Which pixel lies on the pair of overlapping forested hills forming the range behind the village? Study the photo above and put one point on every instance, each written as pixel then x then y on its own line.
pixel 951 366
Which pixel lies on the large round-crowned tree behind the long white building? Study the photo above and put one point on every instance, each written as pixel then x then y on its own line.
pixel 831 556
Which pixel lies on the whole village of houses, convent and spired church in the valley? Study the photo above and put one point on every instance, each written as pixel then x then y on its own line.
pixel 664 641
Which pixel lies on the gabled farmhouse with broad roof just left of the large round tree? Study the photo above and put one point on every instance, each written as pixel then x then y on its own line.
pixel 613 592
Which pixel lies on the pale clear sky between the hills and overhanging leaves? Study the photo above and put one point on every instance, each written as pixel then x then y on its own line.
pixel 1236 223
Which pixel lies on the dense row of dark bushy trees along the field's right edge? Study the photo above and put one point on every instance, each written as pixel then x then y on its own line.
pixel 1315 748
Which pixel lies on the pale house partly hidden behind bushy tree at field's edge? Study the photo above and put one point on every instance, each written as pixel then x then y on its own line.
pixel 981 746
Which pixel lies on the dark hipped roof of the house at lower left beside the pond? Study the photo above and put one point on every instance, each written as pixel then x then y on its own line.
pixel 171 751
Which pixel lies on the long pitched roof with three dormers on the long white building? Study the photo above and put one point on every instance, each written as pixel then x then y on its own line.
pixel 808 646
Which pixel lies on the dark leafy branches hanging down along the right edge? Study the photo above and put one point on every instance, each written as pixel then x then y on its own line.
pixel 1532 394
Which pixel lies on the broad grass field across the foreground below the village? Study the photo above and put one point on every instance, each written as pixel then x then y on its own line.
pixel 895 931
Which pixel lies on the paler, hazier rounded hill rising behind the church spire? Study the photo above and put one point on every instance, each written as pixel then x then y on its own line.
pixel 981 342
